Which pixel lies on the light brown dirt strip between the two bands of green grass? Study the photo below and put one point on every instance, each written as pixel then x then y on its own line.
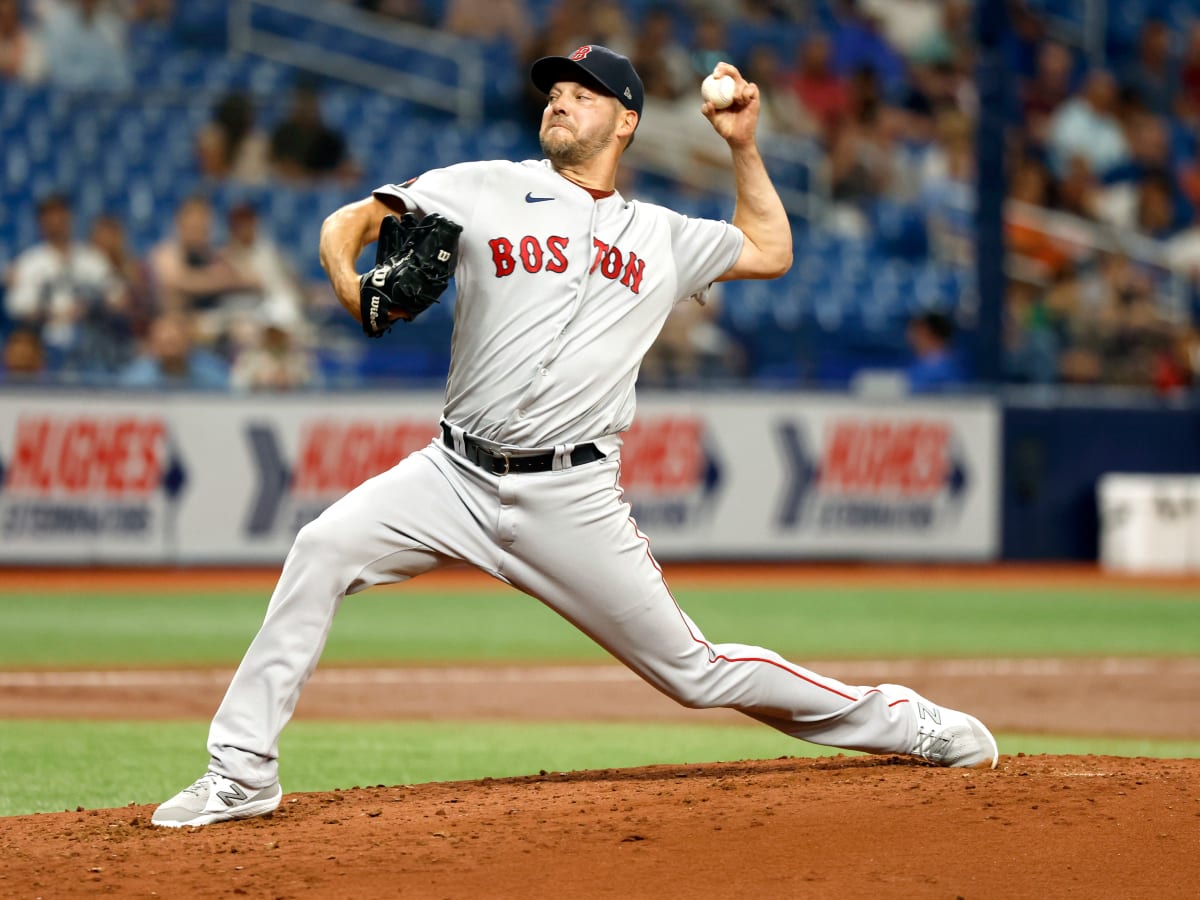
pixel 1119 698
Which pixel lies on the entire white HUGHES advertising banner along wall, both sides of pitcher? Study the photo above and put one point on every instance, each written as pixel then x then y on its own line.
pixel 206 479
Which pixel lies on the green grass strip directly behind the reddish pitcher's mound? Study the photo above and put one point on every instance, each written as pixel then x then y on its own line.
pixel 53 766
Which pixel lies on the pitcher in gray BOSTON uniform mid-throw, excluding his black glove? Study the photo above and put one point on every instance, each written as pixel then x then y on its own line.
pixel 563 285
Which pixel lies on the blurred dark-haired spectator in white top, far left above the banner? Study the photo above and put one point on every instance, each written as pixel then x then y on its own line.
pixel 56 284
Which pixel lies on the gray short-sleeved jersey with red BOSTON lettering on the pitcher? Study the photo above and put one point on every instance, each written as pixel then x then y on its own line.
pixel 560 297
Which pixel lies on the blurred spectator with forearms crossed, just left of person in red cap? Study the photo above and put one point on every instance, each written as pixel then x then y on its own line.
pixel 193 277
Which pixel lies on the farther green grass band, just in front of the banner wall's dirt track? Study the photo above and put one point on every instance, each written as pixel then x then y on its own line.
pixel 415 625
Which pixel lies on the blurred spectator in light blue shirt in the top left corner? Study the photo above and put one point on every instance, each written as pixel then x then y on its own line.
pixel 86 49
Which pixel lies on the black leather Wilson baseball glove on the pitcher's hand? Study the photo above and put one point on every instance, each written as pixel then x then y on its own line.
pixel 415 261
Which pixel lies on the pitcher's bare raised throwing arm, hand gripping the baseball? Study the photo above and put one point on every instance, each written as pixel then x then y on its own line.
pixel 758 213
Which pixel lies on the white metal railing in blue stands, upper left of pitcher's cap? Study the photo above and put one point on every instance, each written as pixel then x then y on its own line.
pixel 464 99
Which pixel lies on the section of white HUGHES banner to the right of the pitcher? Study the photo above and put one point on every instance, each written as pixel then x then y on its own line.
pixel 817 476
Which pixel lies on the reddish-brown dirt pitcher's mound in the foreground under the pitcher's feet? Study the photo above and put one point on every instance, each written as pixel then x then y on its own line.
pixel 878 827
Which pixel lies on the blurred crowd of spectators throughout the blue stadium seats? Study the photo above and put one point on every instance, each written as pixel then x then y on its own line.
pixel 885 89
